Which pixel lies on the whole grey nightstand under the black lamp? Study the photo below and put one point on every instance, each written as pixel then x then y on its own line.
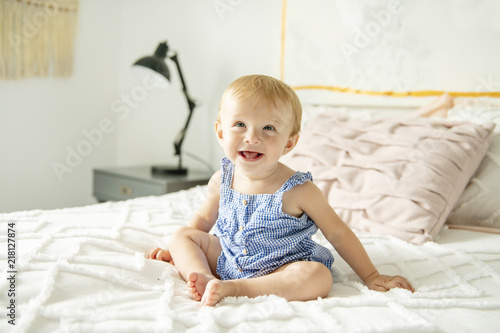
pixel 126 183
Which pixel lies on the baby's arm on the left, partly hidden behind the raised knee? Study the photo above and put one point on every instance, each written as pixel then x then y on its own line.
pixel 203 219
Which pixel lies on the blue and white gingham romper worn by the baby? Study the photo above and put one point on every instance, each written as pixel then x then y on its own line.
pixel 256 236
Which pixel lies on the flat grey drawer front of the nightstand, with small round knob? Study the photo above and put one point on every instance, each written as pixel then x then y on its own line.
pixel 108 187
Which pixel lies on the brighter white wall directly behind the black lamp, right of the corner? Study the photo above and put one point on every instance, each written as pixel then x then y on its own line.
pixel 215 45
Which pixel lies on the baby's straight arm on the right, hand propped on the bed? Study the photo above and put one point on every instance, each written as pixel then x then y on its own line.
pixel 311 200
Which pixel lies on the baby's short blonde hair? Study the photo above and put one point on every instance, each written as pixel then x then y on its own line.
pixel 268 89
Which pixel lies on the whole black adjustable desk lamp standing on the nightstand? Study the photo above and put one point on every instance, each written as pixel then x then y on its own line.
pixel 155 65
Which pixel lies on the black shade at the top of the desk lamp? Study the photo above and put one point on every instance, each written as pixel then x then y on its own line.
pixel 155 66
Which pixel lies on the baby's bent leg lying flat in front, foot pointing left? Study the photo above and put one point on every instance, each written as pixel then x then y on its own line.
pixel 297 281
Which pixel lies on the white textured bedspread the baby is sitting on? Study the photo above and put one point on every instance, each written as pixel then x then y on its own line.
pixel 84 270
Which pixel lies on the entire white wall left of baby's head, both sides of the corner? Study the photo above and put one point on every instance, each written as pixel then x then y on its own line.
pixel 41 120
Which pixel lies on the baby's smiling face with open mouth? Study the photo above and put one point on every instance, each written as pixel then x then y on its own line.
pixel 255 136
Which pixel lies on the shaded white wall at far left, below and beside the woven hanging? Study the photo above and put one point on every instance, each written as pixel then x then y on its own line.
pixel 40 118
